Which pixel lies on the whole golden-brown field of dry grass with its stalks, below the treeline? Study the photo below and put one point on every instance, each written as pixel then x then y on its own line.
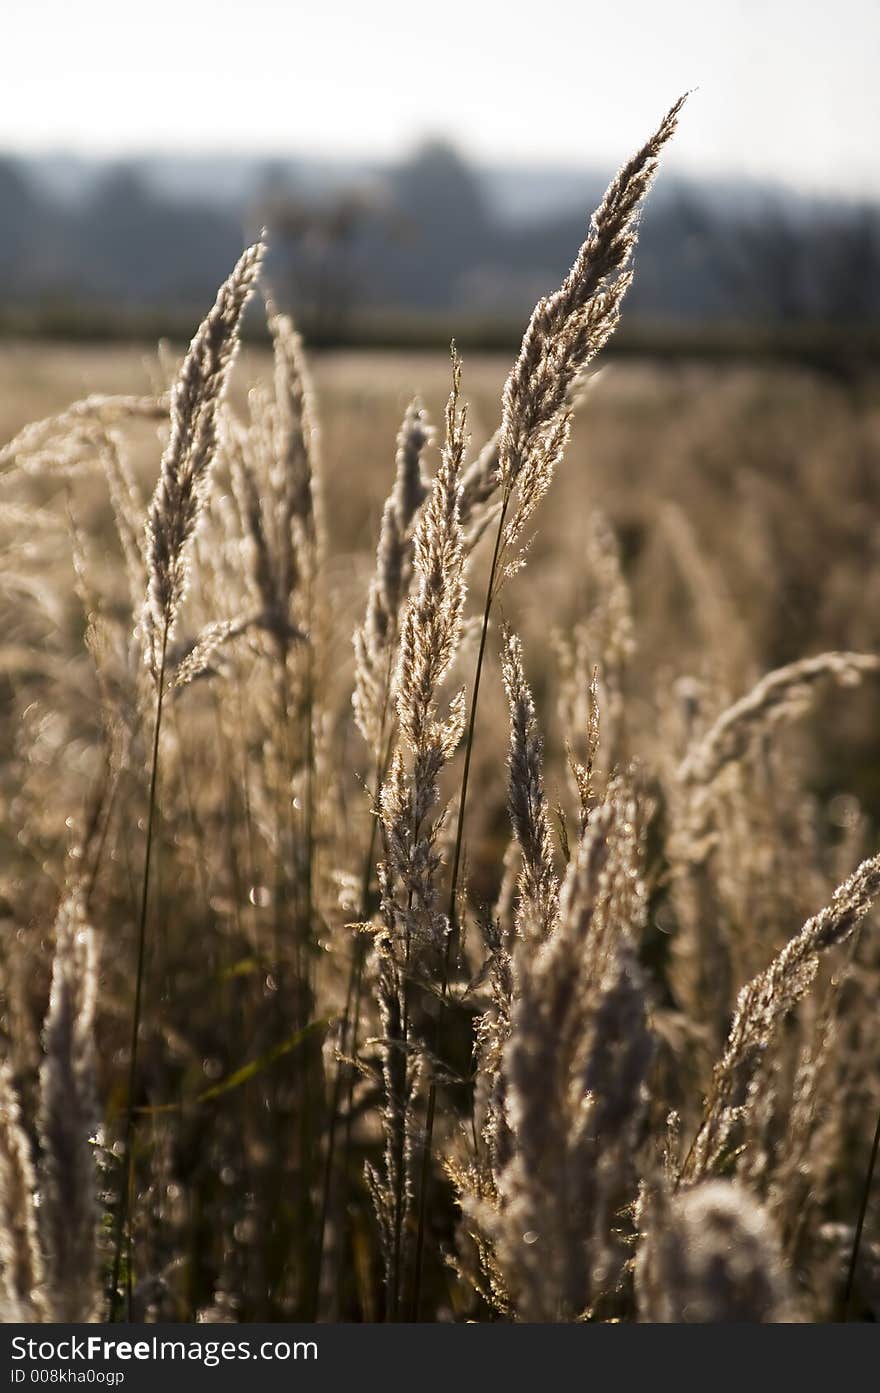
pixel 296 1030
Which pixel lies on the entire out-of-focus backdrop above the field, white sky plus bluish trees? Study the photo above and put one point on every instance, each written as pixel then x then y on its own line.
pixel 425 172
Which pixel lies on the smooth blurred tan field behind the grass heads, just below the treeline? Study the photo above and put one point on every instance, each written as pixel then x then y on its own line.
pixel 769 467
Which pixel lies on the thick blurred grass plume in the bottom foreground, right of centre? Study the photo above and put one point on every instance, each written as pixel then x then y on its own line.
pixel 567 1050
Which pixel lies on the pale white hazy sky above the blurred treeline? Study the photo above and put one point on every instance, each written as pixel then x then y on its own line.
pixel 787 88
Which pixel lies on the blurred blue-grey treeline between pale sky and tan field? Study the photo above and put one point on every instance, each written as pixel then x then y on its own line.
pixel 386 253
